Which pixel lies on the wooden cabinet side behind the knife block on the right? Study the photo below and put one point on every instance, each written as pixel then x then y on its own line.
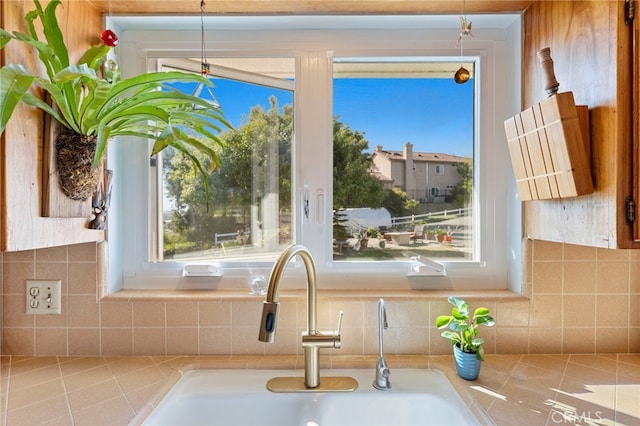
pixel 590 46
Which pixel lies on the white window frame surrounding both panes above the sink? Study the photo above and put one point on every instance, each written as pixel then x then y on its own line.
pixel 499 266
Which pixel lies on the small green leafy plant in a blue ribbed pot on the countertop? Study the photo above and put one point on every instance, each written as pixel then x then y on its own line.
pixel 463 335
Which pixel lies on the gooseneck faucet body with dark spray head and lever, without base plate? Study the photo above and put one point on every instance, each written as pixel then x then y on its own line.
pixel 312 339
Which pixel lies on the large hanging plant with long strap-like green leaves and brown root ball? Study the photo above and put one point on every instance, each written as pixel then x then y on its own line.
pixel 92 104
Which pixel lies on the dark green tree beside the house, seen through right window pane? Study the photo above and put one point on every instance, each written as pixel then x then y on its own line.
pixel 353 185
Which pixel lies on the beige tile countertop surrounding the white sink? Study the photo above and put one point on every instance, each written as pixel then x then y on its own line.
pixel 511 389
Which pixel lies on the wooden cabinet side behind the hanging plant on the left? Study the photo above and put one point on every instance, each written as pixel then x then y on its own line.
pixel 22 226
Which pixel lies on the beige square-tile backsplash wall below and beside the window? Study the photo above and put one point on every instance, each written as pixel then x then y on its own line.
pixel 579 300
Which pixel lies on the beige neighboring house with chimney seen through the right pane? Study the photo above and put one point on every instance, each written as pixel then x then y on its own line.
pixel 424 176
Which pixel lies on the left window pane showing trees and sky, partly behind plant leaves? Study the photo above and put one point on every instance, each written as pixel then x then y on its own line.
pixel 249 209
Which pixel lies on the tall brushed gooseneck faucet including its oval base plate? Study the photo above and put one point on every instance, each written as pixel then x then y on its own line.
pixel 312 339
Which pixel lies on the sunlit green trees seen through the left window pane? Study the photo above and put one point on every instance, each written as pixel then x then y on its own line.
pixel 255 160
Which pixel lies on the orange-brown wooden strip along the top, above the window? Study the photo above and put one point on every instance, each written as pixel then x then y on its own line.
pixel 159 7
